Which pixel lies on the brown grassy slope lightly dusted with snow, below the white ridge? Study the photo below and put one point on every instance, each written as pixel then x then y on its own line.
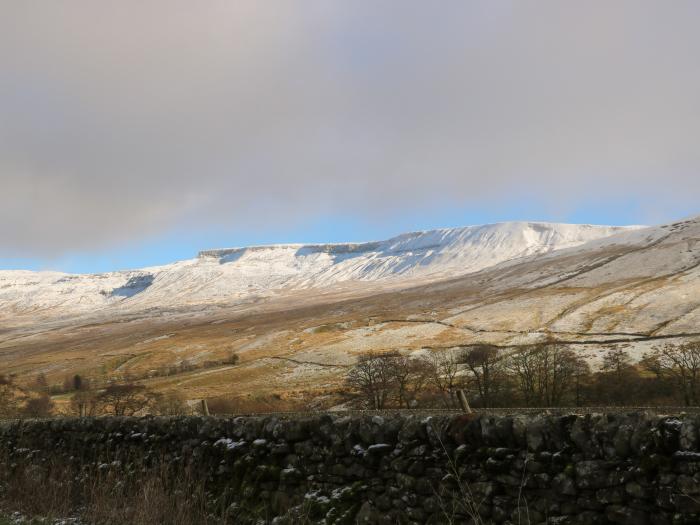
pixel 632 288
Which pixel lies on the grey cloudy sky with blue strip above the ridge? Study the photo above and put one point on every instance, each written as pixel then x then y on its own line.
pixel 139 132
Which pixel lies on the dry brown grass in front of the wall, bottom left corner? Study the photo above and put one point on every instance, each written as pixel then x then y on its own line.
pixel 109 496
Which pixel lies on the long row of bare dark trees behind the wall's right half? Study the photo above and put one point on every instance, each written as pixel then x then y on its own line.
pixel 547 374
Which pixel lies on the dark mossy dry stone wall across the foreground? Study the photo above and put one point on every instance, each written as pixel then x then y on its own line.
pixel 632 468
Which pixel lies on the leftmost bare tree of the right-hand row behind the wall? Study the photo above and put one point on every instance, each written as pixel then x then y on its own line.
pixel 372 379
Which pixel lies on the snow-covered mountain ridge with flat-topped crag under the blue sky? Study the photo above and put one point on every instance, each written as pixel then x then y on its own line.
pixel 232 275
